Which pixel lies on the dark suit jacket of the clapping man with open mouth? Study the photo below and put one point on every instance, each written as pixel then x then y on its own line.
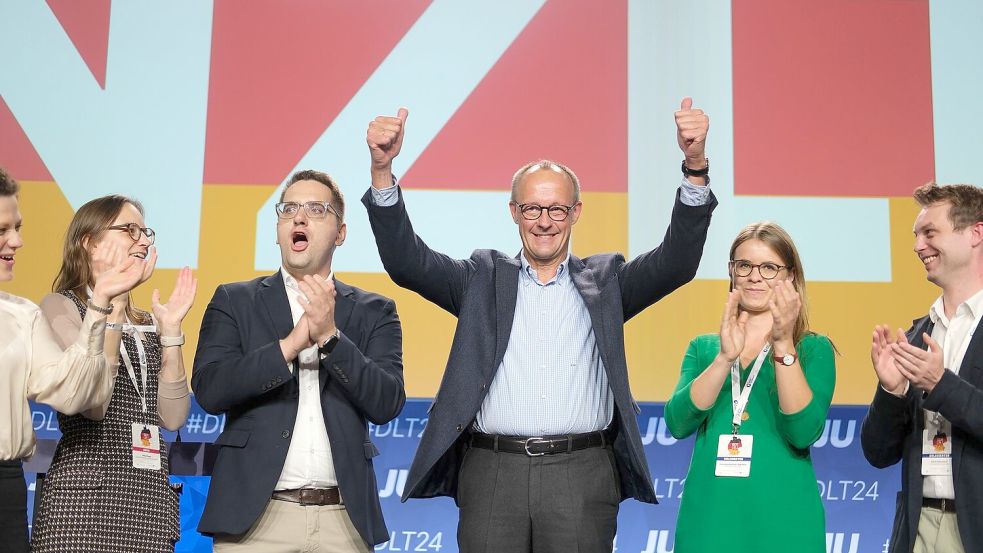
pixel 239 370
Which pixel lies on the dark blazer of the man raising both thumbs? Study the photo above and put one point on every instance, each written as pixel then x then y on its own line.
pixel 481 291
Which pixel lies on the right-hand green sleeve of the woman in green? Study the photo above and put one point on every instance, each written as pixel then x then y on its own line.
pixel 803 428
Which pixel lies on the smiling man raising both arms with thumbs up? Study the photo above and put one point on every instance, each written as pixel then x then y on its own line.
pixel 533 430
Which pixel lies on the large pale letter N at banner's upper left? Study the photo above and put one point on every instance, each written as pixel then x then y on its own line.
pixel 144 135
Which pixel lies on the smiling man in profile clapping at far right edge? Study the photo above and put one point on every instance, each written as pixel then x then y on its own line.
pixel 927 410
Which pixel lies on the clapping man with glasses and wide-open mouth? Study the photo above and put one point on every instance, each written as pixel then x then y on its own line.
pixel 298 362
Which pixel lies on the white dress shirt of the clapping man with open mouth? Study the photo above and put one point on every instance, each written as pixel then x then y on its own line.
pixel 309 463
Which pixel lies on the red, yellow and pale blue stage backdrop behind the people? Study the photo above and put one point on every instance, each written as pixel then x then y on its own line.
pixel 824 117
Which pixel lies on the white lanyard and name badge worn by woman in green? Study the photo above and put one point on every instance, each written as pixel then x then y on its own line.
pixel 734 450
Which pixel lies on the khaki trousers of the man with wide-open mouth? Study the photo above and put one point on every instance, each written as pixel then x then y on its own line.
pixel 286 527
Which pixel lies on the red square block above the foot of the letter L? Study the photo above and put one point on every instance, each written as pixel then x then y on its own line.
pixel 832 98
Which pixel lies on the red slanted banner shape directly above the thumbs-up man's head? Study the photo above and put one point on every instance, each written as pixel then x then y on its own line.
pixel 560 91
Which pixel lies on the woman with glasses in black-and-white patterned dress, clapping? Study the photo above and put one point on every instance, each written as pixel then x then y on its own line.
pixel 107 488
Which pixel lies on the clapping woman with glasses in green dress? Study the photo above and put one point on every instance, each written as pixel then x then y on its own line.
pixel 756 395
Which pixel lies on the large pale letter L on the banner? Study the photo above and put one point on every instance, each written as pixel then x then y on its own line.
pixel 659 74
